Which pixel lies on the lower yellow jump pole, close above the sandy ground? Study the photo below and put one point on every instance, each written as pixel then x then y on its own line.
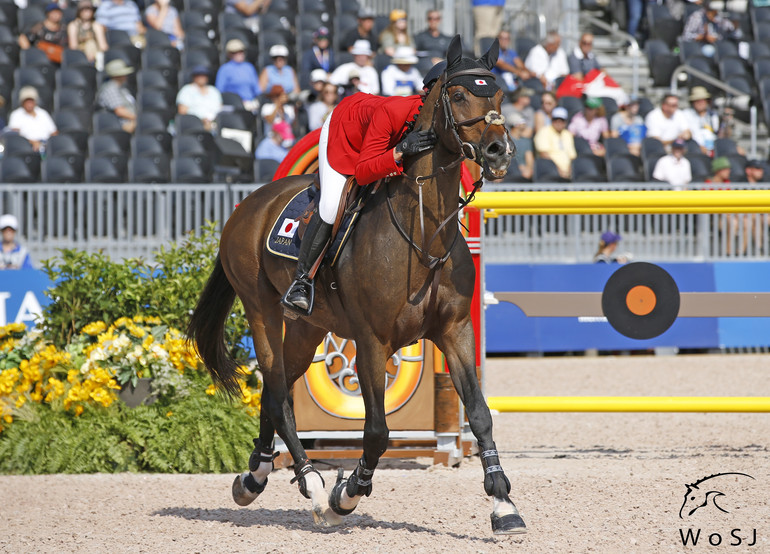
pixel 742 404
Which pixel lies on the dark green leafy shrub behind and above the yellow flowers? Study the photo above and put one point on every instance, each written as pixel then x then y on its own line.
pixel 92 287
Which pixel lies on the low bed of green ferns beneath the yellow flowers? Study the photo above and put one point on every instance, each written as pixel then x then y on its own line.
pixel 198 434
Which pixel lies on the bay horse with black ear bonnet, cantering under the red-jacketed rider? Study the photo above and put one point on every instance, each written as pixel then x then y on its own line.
pixel 390 287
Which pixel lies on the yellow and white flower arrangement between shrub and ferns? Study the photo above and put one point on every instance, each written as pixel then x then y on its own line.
pixel 98 362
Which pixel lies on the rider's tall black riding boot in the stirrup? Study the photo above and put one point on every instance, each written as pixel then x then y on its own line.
pixel 300 294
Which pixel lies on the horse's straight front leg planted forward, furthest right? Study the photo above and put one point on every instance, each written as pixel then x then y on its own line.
pixel 458 345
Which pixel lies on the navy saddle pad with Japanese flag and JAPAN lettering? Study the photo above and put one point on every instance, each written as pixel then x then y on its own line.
pixel 283 240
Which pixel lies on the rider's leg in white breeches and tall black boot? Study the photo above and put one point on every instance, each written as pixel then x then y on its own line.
pixel 318 231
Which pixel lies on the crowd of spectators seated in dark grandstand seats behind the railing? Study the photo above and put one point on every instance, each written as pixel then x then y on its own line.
pixel 247 78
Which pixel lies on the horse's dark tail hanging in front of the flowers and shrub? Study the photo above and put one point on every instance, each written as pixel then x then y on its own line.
pixel 207 328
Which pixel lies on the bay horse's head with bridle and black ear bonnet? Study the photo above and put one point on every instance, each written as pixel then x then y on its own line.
pixel 466 115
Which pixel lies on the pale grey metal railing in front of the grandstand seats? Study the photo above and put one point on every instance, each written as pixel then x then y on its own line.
pixel 130 220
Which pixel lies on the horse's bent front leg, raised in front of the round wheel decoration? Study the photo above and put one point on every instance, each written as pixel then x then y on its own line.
pixel 370 361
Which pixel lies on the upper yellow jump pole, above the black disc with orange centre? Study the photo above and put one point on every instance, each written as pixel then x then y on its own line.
pixel 623 202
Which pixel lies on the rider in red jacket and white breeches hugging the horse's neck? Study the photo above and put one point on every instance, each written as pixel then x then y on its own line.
pixel 366 130
